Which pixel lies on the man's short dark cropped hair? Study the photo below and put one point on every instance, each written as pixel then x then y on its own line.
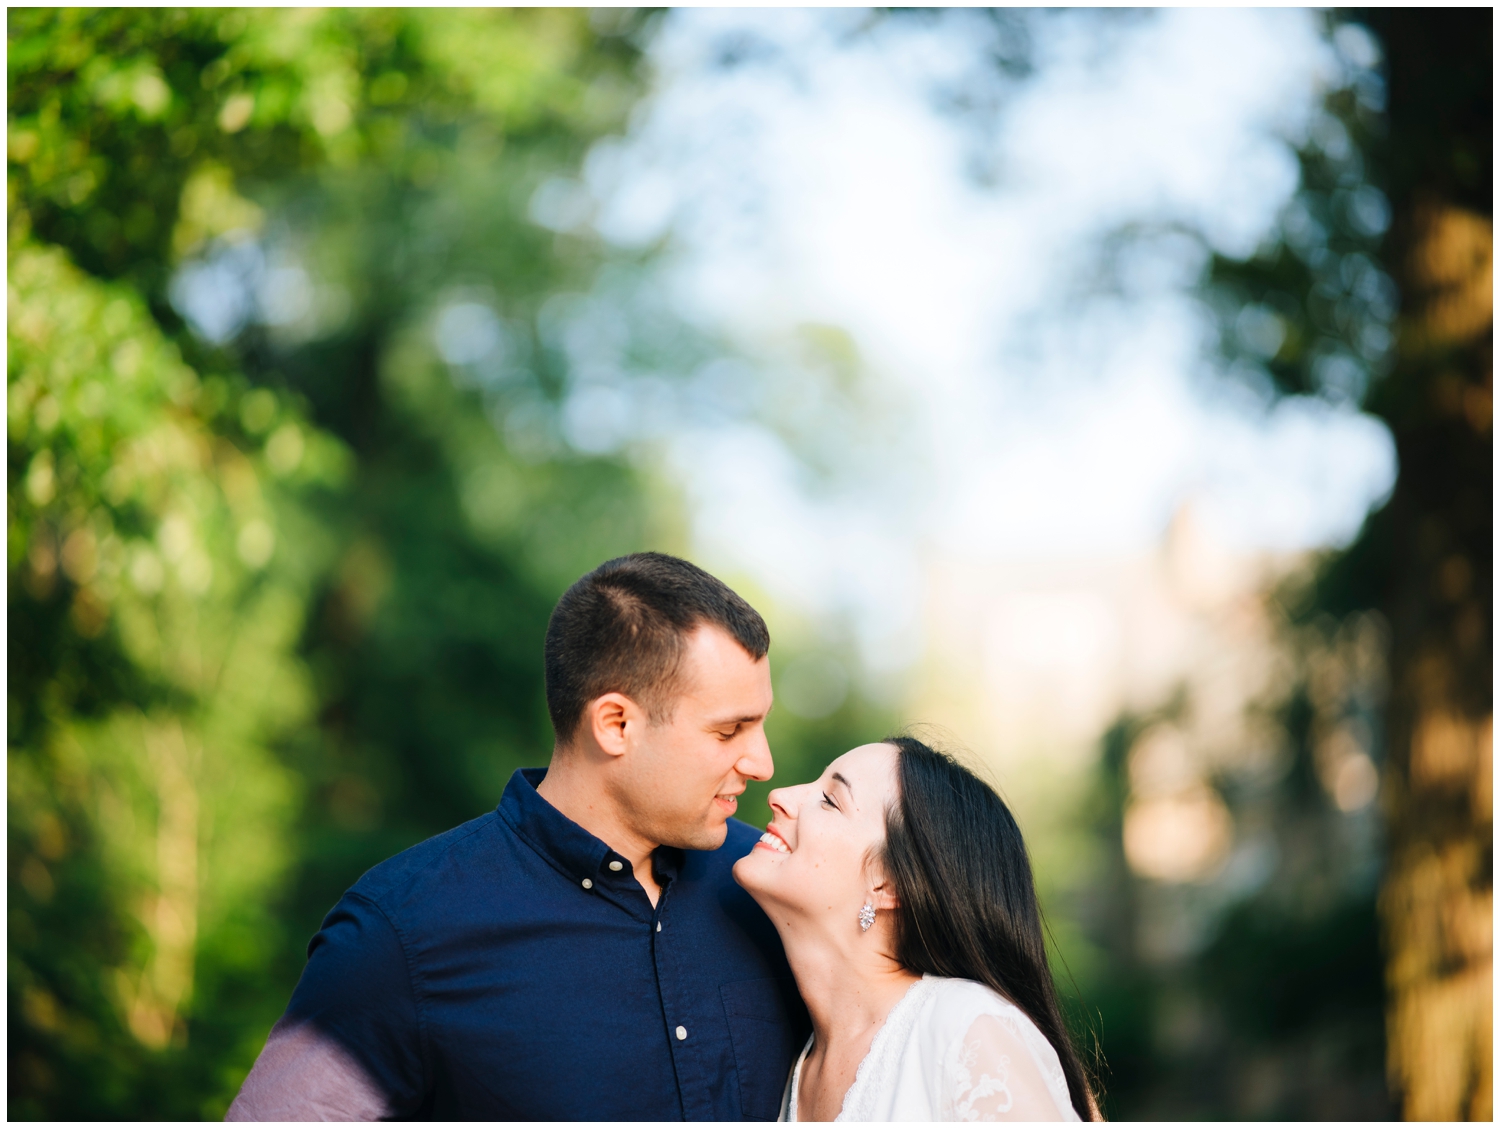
pixel 622 629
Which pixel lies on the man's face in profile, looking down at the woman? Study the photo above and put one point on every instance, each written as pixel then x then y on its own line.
pixel 683 777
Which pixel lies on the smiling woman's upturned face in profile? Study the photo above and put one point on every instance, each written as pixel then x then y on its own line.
pixel 814 857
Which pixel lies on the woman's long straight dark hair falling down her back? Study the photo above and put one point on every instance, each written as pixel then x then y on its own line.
pixel 968 908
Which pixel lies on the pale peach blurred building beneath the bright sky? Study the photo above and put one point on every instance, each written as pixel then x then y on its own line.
pixel 1048 656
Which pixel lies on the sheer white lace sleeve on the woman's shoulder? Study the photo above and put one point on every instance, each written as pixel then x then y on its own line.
pixel 994 1076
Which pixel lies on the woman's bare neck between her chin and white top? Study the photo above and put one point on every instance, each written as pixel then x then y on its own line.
pixel 850 984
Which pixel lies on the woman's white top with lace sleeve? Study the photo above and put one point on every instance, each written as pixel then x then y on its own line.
pixel 952 1052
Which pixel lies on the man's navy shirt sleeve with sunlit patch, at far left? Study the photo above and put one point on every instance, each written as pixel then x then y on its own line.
pixel 350 1046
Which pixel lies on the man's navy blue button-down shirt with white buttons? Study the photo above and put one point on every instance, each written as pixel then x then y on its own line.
pixel 508 971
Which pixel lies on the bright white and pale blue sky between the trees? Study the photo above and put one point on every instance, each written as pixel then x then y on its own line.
pixel 1027 413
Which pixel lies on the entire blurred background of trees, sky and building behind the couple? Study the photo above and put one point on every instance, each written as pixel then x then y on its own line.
pixel 1037 376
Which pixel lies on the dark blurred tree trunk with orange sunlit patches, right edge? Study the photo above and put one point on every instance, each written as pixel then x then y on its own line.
pixel 1435 545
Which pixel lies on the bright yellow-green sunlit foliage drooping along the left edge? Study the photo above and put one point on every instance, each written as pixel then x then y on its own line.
pixel 151 672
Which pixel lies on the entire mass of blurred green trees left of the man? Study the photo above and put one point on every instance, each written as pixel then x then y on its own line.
pixel 278 587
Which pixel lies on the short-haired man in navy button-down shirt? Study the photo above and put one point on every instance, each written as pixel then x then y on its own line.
pixel 583 951
